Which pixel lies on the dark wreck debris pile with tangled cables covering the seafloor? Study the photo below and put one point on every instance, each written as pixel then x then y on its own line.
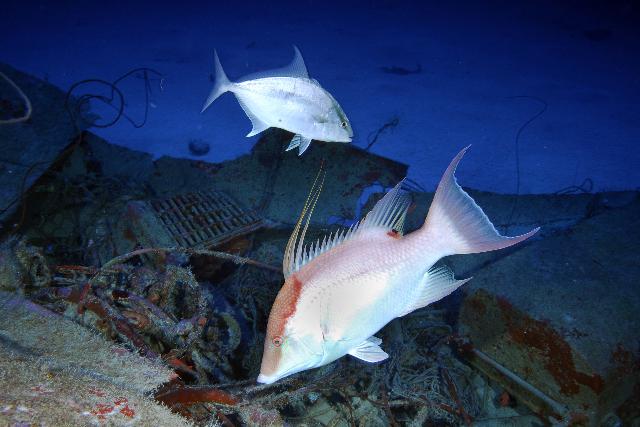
pixel 172 267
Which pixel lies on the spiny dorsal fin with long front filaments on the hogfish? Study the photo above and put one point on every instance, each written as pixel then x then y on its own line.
pixel 388 214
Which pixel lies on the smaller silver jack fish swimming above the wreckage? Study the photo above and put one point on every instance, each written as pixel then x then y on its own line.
pixel 288 99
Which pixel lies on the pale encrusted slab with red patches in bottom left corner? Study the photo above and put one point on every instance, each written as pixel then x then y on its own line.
pixel 55 372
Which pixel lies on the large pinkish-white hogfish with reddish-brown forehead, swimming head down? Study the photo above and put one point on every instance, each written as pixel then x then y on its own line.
pixel 339 292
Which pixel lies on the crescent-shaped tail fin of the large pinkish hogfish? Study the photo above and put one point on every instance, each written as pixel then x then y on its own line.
pixel 457 225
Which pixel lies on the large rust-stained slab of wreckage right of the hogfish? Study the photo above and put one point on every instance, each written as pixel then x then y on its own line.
pixel 561 313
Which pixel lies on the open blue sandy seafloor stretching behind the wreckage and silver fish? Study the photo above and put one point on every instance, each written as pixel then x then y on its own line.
pixel 480 62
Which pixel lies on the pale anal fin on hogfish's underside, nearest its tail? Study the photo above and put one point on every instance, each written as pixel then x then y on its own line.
pixel 436 284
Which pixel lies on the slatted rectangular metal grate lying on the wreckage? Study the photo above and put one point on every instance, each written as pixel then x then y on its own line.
pixel 204 218
